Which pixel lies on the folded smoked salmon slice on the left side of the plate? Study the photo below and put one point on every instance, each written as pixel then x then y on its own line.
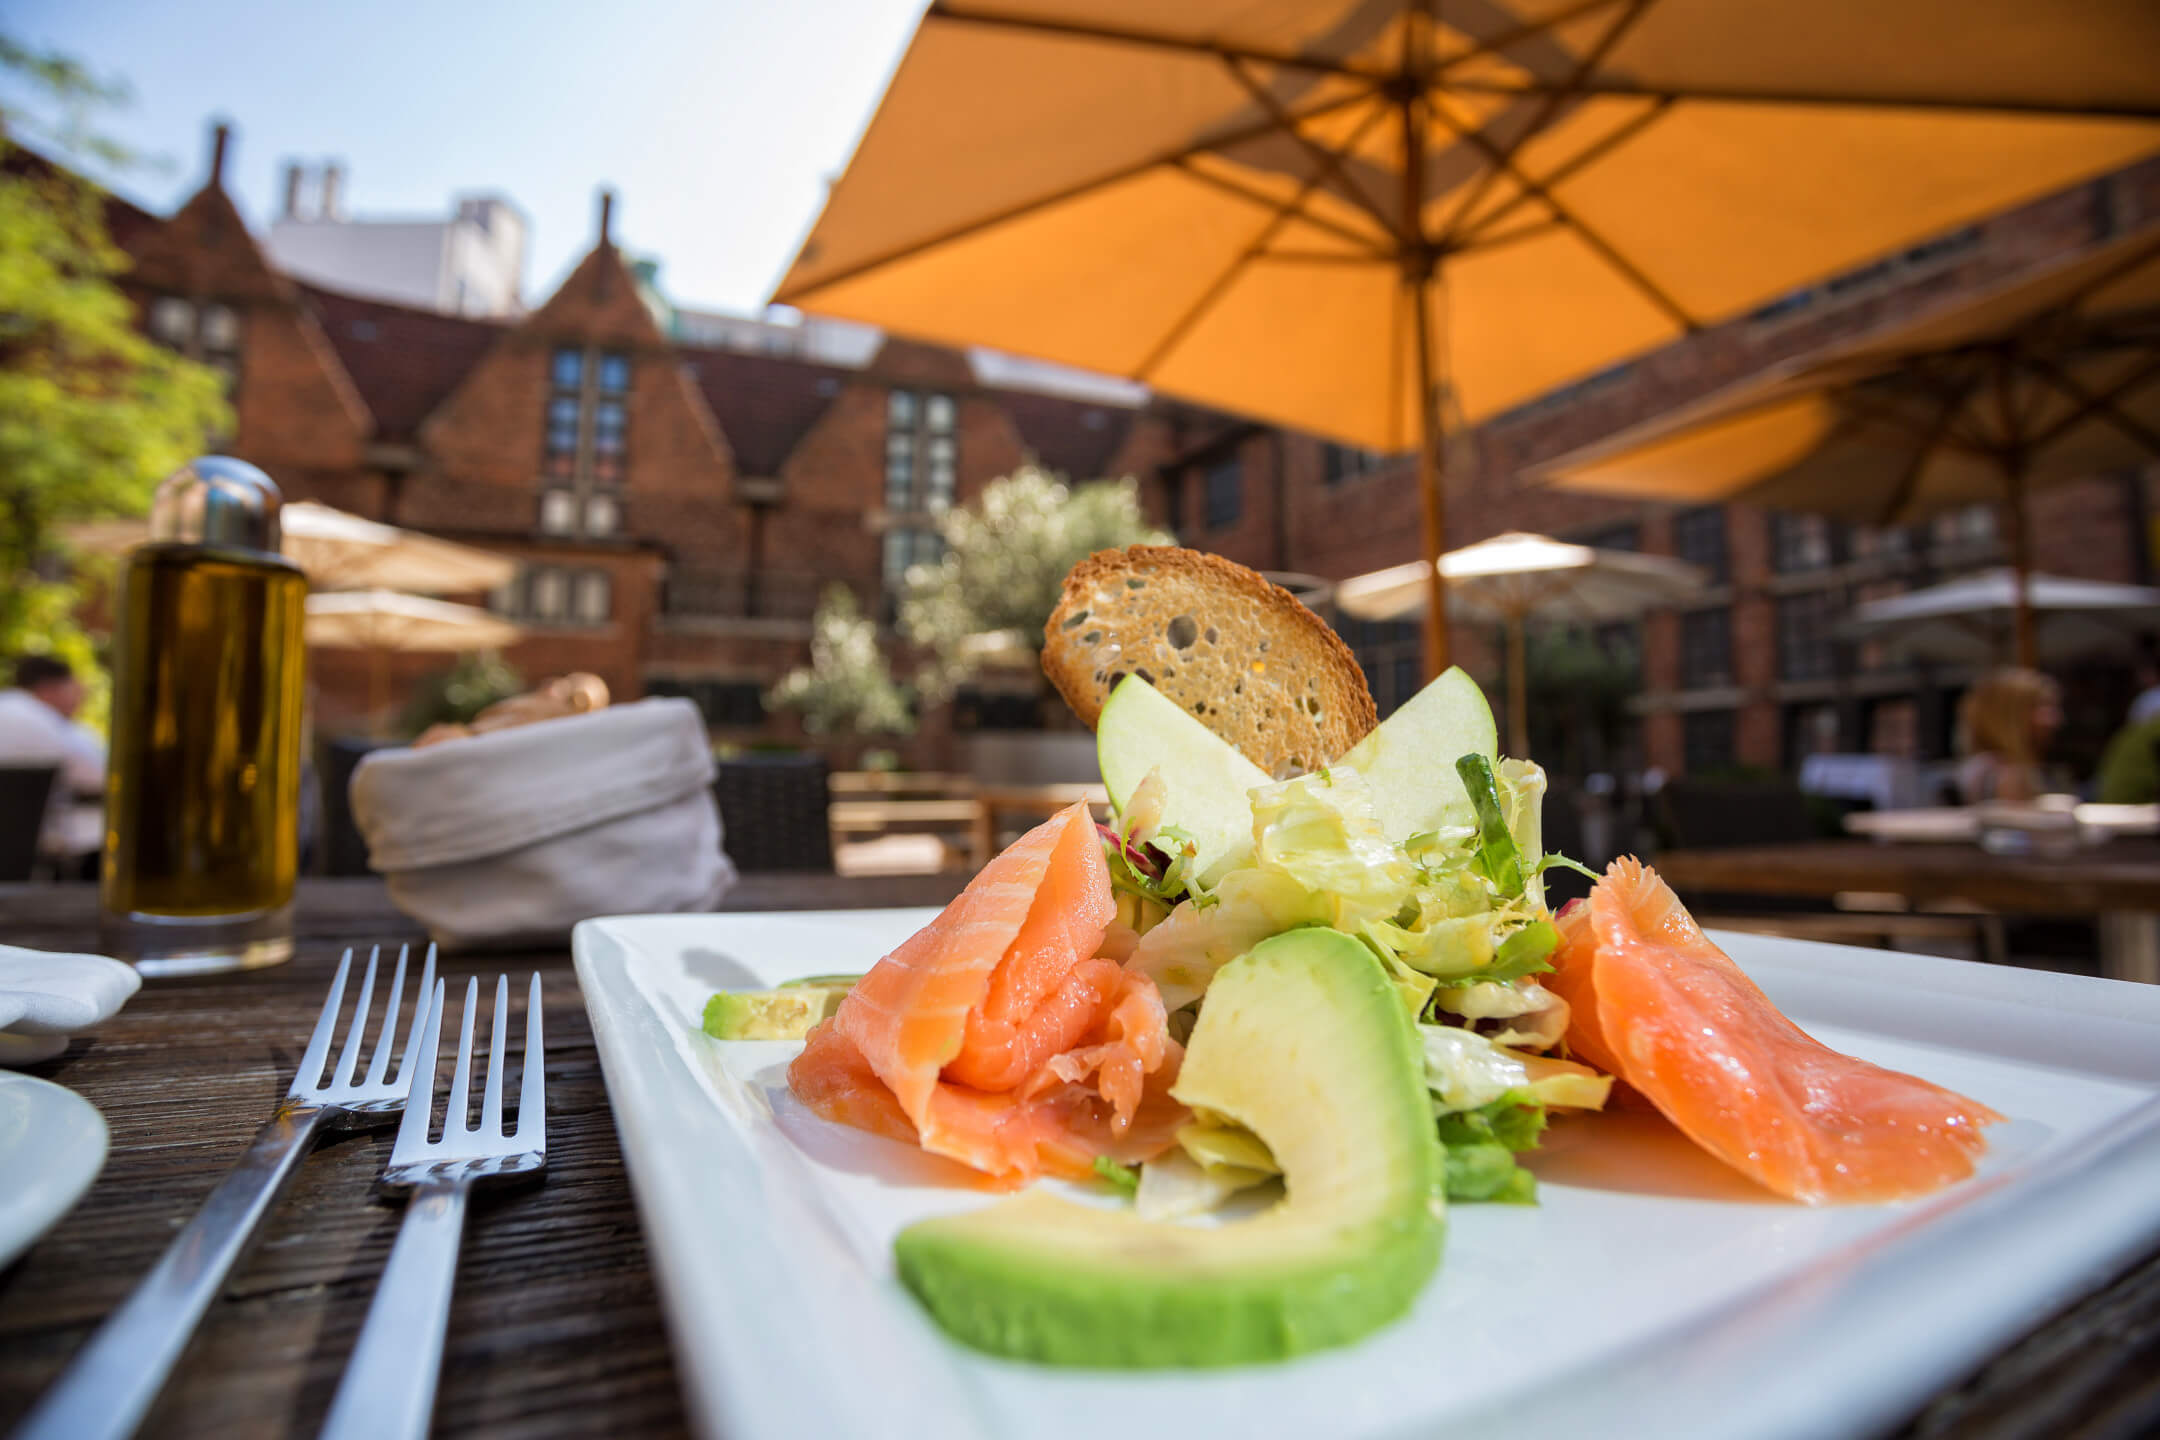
pixel 999 1035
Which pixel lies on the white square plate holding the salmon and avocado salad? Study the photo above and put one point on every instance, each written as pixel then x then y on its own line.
pixel 1649 1294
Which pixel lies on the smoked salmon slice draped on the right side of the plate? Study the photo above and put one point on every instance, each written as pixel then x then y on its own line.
pixel 1666 1011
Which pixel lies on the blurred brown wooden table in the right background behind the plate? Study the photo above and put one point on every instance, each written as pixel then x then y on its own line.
pixel 2116 884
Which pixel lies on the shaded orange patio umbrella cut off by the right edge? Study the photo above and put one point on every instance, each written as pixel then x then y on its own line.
pixel 2047 379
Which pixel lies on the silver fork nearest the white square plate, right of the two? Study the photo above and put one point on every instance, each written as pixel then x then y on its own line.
pixel 390 1383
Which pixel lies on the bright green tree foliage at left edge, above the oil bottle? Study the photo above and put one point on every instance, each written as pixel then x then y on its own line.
pixel 92 411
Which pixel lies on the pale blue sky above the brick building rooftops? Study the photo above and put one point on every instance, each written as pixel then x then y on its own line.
pixel 718 124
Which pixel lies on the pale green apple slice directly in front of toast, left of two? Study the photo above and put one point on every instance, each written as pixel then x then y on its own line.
pixel 1204 776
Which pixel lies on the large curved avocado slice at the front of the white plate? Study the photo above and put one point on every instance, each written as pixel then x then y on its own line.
pixel 1306 1046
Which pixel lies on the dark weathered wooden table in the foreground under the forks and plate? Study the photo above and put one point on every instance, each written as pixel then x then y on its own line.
pixel 556 1327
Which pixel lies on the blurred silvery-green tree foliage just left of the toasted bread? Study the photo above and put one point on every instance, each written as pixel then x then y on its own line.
pixel 1005 560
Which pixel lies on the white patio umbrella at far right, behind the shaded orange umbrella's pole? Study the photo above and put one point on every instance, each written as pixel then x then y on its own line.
pixel 1971 621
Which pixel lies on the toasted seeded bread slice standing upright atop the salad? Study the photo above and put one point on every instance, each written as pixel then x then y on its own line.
pixel 1239 653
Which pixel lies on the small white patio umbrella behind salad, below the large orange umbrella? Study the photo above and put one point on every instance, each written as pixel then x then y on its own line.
pixel 1515 578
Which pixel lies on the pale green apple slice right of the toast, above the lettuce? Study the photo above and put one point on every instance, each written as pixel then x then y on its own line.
pixel 1409 759
